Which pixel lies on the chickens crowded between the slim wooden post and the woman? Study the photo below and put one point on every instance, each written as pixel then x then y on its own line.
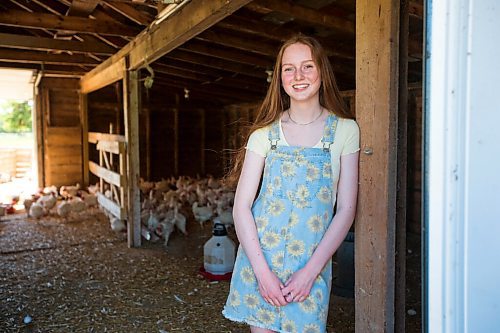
pixel 167 203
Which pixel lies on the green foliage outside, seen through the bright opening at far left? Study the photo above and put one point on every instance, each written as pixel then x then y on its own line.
pixel 17 119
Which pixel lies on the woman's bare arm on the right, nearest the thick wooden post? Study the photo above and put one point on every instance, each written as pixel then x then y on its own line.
pixel 301 281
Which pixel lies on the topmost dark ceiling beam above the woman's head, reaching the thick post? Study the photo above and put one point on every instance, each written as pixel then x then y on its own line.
pixel 305 14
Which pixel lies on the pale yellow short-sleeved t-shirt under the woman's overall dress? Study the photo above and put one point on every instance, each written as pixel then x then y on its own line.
pixel 346 142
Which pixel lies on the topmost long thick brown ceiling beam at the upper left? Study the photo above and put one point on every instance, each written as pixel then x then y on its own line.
pixel 69 24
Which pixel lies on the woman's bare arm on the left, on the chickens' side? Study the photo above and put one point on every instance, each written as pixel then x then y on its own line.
pixel 246 230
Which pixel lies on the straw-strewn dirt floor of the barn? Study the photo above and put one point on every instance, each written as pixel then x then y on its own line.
pixel 77 275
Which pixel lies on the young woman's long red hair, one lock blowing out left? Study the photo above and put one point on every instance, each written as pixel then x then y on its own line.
pixel 277 101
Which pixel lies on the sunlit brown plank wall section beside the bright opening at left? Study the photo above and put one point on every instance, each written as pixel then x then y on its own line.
pixel 61 131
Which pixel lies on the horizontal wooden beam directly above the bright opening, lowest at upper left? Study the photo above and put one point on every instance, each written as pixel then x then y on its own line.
pixel 23 56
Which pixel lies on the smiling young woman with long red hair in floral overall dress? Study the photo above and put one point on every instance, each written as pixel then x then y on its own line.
pixel 303 152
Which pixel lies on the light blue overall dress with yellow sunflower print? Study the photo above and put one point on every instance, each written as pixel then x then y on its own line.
pixel 292 212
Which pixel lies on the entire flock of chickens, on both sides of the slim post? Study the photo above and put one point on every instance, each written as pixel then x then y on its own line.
pixel 166 205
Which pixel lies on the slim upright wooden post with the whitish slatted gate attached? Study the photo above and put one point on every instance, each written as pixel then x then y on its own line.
pixel 131 114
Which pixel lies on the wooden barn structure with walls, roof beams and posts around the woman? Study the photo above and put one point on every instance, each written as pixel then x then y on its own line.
pixel 130 89
